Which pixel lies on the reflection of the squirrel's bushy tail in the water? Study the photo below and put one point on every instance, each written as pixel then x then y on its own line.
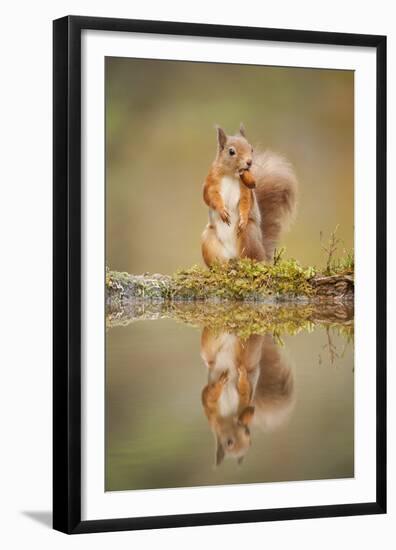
pixel 274 396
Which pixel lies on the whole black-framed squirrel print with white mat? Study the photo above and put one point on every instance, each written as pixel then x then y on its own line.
pixel 219 274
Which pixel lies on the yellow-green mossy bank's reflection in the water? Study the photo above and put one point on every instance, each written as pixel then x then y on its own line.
pixel 242 319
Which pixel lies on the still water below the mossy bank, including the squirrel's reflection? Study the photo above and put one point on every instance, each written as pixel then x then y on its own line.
pixel 192 405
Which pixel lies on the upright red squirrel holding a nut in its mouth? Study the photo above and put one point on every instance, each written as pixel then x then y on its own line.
pixel 251 196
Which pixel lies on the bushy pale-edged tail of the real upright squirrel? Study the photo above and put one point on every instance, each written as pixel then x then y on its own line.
pixel 276 194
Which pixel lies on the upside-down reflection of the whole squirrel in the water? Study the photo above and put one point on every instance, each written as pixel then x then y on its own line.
pixel 249 382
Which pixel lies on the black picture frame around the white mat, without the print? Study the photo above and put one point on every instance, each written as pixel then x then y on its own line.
pixel 67 274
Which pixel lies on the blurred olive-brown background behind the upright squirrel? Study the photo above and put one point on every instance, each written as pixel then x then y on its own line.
pixel 161 140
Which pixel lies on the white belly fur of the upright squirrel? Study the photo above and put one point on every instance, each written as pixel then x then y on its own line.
pixel 227 234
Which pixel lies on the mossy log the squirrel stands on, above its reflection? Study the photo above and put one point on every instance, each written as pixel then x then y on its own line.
pixel 243 281
